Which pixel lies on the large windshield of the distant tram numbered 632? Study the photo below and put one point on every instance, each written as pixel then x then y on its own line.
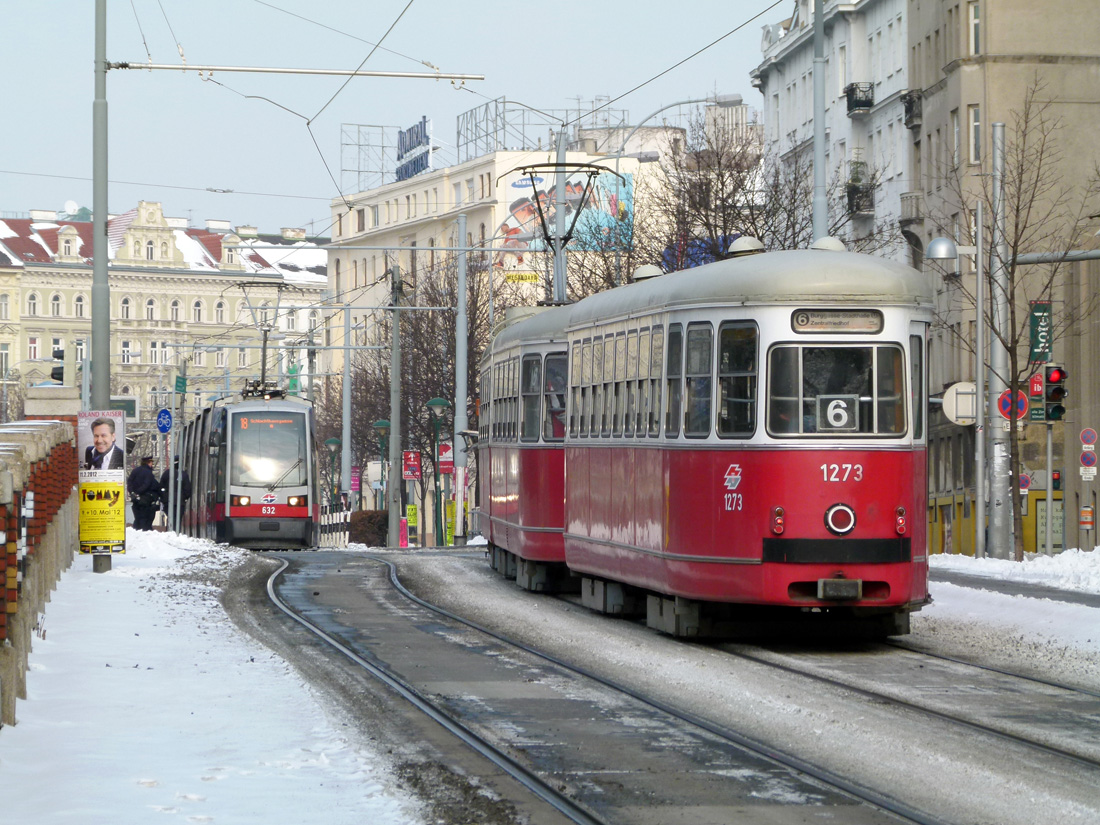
pixel 269 449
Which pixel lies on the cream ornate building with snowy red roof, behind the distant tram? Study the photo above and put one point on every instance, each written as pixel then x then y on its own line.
pixel 183 300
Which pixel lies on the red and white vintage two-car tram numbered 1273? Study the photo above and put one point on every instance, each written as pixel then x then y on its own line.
pixel 751 433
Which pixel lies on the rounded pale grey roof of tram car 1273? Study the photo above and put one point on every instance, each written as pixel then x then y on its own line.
pixel 794 277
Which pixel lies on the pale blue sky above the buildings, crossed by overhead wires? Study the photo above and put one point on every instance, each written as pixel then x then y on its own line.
pixel 178 136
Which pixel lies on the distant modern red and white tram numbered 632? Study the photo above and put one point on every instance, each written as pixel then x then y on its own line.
pixel 254 469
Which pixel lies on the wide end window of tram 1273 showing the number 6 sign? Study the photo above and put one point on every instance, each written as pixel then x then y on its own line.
pixel 837 391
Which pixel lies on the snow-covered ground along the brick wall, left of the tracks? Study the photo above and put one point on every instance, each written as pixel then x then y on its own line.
pixel 146 703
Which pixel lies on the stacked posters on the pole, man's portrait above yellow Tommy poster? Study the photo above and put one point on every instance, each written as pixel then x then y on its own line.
pixel 101 445
